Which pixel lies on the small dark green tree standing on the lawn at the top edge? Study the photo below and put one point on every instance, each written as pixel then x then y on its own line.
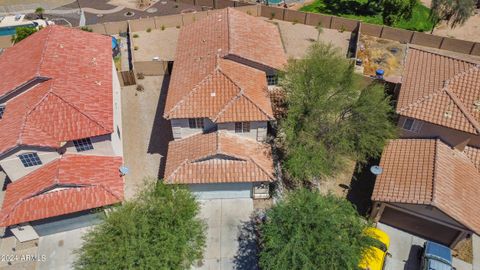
pixel 395 10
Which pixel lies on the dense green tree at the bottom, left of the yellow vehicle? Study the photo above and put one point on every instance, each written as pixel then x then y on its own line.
pixel 308 230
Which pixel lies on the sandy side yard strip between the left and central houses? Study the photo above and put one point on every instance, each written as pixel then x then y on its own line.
pixel 145 132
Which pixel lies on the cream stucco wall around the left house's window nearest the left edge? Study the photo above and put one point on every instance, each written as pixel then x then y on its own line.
pixel 14 168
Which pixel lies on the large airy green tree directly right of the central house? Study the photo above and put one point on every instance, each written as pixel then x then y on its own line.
pixel 331 117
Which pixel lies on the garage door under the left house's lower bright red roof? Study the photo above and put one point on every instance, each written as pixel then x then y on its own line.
pixel 66 222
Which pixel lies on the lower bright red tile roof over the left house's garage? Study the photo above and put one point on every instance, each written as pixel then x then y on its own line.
pixel 67 185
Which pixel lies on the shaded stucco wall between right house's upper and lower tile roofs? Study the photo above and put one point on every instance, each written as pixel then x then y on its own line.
pixel 453 137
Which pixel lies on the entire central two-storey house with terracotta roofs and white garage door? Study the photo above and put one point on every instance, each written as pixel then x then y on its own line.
pixel 224 65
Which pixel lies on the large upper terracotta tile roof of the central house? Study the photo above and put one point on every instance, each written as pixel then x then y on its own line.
pixel 201 68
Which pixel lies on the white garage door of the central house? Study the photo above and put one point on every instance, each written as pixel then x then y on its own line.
pixel 222 191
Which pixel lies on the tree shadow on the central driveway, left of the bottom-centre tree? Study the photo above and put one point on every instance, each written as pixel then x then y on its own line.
pixel 248 246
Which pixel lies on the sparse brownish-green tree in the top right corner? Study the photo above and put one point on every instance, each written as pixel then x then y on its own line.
pixel 455 12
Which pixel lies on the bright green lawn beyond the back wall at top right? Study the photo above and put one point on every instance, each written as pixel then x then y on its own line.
pixel 359 10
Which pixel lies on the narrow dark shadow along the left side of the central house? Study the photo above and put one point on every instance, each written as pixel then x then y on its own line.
pixel 161 131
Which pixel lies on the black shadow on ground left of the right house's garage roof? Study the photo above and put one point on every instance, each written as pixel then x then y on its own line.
pixel 361 187
